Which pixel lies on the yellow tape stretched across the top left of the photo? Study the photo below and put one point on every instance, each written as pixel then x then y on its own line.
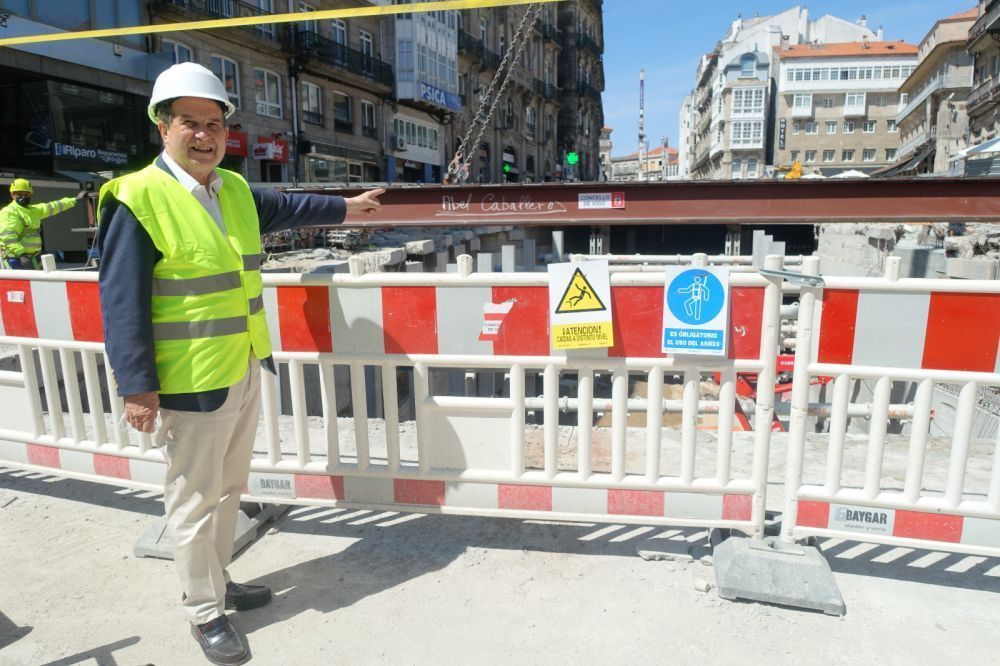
pixel 354 12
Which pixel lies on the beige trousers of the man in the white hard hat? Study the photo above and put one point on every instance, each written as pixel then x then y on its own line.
pixel 208 463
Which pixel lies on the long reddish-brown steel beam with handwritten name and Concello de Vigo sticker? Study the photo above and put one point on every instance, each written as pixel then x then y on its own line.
pixel 896 200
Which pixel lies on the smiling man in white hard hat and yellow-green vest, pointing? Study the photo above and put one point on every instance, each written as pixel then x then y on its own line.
pixel 185 332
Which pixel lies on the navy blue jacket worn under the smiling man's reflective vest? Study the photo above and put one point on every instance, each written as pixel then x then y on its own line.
pixel 126 285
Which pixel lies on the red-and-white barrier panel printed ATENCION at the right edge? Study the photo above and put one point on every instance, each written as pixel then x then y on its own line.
pixel 934 503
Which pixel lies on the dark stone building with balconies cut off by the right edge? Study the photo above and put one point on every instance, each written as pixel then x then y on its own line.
pixel 983 104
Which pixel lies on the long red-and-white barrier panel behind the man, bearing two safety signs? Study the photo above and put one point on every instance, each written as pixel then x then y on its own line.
pixel 457 454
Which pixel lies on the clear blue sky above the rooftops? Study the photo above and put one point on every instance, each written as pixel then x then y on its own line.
pixel 667 38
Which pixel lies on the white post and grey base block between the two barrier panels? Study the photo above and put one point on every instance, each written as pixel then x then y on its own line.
pixel 772 569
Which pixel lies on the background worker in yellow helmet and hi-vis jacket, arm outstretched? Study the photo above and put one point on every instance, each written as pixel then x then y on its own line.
pixel 21 224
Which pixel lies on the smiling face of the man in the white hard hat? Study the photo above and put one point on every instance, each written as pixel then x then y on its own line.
pixel 196 136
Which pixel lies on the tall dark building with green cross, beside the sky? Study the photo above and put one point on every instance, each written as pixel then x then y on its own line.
pixel 581 76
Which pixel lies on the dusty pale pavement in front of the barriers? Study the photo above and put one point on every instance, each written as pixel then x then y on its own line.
pixel 365 588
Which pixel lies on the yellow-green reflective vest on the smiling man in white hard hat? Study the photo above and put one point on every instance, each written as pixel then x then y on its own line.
pixel 207 303
